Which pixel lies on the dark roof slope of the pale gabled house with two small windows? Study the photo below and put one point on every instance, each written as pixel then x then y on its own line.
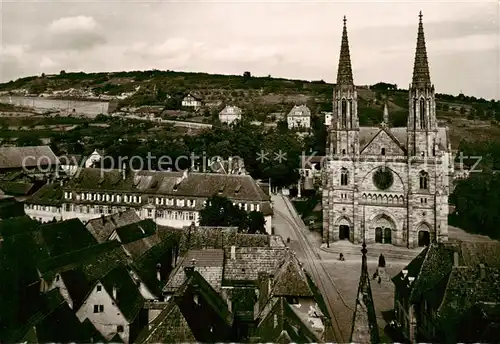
pixel 128 298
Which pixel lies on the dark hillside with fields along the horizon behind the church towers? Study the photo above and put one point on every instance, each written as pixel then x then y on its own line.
pixel 259 97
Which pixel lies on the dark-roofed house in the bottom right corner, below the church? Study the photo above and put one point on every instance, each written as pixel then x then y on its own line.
pixel 450 293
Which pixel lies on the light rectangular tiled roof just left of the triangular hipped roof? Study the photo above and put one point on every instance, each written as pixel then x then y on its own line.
pixel 249 261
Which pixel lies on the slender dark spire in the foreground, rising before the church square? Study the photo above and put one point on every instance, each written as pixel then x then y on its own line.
pixel 364 324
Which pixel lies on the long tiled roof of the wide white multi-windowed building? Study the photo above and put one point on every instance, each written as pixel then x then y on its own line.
pixel 237 187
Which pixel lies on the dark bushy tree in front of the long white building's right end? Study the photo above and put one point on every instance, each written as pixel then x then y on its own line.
pixel 220 212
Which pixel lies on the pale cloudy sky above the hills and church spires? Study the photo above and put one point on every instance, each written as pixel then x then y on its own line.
pixel 289 39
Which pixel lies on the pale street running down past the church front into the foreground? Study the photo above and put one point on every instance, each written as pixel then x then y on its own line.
pixel 338 281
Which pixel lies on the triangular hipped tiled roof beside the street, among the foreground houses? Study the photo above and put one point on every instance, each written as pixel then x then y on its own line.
pixel 290 279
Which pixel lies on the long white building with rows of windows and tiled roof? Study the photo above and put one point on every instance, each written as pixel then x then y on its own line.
pixel 172 199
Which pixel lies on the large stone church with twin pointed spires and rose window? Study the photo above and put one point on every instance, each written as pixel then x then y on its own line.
pixel 385 184
